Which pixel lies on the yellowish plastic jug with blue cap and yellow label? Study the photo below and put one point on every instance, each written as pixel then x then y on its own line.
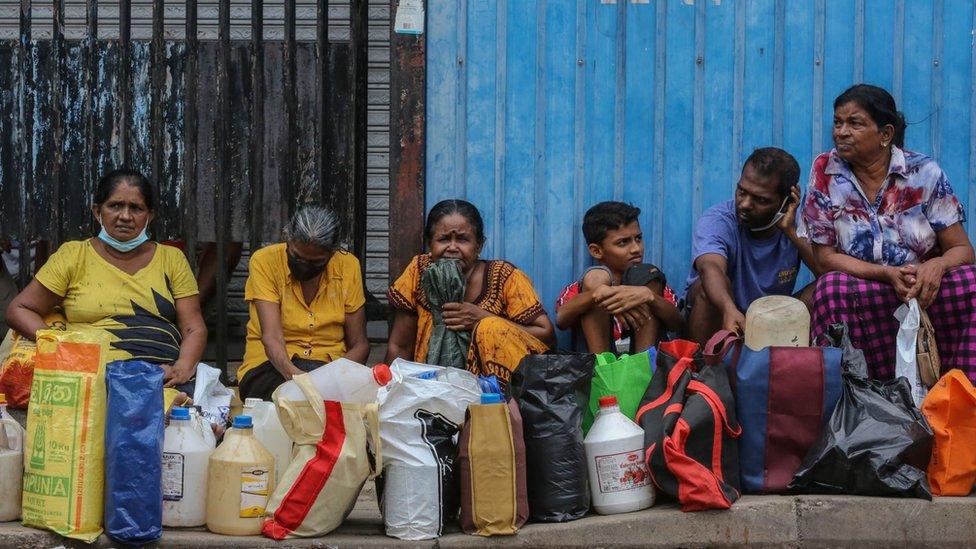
pixel 240 478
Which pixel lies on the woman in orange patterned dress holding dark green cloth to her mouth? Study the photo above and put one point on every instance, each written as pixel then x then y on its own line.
pixel 501 309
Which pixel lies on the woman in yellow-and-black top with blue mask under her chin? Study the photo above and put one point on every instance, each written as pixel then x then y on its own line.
pixel 141 293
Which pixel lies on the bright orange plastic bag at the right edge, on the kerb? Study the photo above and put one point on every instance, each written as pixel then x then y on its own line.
pixel 950 409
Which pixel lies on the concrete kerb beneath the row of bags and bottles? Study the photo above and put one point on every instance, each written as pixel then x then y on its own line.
pixel 756 521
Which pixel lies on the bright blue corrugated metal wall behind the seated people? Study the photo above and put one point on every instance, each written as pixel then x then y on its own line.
pixel 538 109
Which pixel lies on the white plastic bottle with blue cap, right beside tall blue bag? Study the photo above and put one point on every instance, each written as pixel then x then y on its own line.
pixel 186 454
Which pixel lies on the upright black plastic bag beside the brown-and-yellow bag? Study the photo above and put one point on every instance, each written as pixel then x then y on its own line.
pixel 550 391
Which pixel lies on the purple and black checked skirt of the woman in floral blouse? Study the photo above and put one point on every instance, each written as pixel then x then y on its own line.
pixel 868 308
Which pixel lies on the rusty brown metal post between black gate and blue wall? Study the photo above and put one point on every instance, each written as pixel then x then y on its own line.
pixel 407 151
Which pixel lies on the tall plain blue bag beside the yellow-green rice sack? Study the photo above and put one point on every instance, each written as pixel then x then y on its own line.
pixel 134 451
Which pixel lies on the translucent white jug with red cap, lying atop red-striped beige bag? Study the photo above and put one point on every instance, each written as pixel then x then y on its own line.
pixel 342 380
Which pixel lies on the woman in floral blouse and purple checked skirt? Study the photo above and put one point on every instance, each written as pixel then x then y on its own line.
pixel 886 227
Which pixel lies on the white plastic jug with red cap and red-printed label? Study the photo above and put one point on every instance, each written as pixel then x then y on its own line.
pixel 619 479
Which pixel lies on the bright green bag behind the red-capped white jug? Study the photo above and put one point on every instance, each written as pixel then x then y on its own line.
pixel 625 377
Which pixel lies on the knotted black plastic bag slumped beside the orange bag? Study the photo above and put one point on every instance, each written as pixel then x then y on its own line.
pixel 877 443
